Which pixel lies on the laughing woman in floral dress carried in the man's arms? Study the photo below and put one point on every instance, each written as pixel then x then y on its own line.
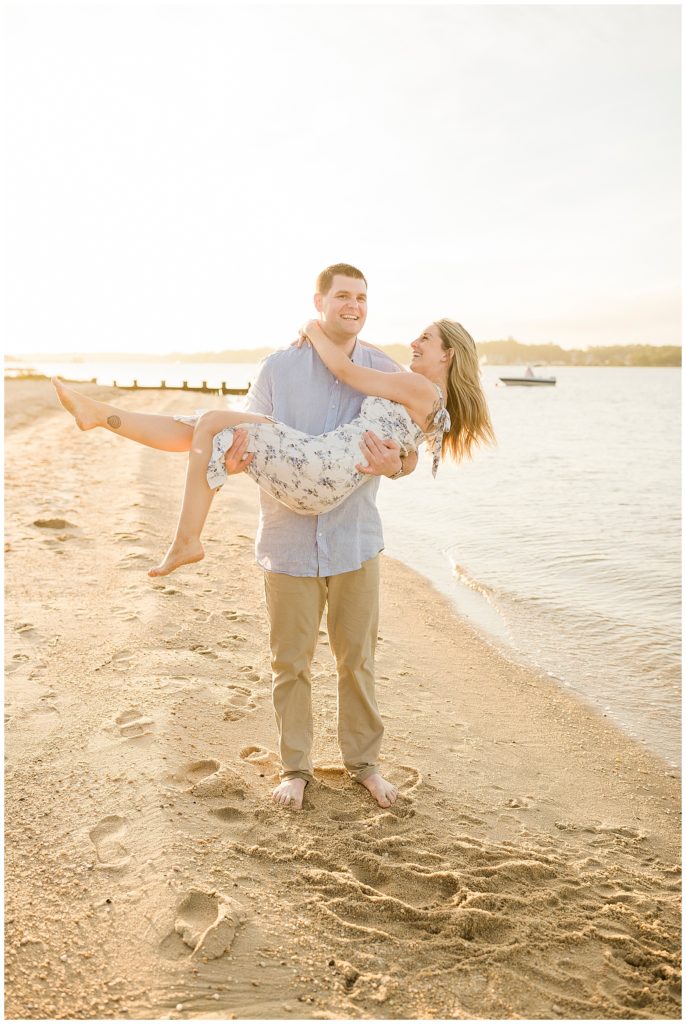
pixel 441 402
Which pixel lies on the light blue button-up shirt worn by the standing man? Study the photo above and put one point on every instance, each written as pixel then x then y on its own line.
pixel 295 388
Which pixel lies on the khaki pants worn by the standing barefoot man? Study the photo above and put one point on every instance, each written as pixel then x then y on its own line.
pixel 295 606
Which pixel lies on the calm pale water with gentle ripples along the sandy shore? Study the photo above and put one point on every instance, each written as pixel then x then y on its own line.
pixel 563 543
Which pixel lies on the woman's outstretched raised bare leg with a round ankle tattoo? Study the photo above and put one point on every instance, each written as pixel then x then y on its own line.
pixel 163 433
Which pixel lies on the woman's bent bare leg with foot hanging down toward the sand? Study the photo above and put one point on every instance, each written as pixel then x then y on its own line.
pixel 198 495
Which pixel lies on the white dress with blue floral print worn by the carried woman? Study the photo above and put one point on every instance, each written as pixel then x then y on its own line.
pixel 314 474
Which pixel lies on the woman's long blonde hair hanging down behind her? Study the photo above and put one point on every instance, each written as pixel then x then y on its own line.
pixel 470 422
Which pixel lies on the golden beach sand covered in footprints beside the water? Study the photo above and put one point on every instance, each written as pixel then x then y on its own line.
pixel 530 869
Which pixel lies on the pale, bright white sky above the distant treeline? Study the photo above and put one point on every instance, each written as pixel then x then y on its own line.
pixel 178 175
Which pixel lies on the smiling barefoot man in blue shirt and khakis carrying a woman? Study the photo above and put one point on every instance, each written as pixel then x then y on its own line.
pixel 331 560
